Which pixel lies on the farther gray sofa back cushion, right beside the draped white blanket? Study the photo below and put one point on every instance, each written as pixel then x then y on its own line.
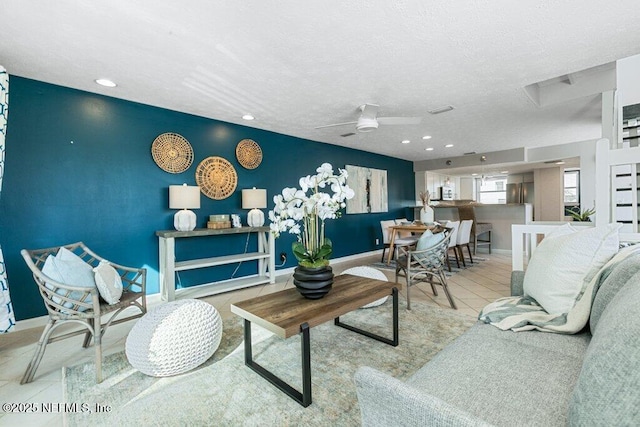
pixel 616 279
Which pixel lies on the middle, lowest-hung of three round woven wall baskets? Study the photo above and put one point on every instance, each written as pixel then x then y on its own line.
pixel 216 178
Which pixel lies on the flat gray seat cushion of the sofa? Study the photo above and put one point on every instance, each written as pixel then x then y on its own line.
pixel 504 377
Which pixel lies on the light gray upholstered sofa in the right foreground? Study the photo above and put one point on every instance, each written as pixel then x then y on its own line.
pixel 493 377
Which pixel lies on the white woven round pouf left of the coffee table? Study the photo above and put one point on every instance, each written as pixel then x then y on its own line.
pixel 174 338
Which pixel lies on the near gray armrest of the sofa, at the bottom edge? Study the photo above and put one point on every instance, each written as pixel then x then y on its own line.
pixel 386 401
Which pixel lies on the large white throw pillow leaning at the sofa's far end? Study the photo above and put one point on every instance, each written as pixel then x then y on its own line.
pixel 565 262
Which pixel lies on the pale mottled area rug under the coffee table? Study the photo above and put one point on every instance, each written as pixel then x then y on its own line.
pixel 225 392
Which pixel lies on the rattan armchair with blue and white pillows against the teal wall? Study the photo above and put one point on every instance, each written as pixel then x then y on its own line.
pixel 80 305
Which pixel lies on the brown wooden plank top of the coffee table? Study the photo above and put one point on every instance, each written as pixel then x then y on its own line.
pixel 283 312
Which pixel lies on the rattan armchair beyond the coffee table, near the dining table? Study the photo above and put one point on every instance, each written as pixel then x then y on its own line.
pixel 425 266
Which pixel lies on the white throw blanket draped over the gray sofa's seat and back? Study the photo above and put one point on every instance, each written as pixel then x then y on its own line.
pixel 523 313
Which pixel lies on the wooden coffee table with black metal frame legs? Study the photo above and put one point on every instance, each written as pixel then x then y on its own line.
pixel 287 313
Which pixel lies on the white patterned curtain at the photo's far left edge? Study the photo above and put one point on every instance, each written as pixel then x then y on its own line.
pixel 7 319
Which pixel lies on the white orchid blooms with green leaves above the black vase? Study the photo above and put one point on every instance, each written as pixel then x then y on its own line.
pixel 303 212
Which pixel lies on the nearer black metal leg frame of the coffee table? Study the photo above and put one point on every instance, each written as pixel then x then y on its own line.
pixel 303 398
